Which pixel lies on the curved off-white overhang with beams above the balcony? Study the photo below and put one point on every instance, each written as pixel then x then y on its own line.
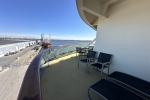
pixel 91 11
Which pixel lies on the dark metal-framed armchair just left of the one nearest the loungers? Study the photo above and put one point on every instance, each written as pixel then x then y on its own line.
pixel 90 57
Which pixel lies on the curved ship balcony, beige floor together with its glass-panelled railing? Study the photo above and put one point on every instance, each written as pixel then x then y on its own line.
pixel 54 75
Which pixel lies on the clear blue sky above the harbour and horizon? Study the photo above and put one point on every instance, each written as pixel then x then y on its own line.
pixel 30 18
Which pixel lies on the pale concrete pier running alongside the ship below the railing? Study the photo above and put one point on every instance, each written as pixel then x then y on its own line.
pixel 12 77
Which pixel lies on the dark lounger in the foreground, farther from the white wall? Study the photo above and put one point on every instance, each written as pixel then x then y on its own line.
pixel 111 91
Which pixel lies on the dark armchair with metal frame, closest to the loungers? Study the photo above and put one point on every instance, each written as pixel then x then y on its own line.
pixel 103 62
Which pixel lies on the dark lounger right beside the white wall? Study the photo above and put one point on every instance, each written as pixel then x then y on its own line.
pixel 131 81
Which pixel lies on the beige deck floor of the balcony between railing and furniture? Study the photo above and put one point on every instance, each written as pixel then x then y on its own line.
pixel 62 80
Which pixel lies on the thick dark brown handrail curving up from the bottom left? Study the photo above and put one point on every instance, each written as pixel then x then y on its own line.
pixel 30 88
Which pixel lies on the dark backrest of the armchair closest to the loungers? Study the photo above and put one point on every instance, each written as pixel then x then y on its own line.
pixel 103 57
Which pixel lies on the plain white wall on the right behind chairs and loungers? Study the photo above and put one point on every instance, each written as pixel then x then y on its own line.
pixel 126 35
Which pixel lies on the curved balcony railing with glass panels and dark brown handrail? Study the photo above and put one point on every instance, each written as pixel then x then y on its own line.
pixel 30 89
